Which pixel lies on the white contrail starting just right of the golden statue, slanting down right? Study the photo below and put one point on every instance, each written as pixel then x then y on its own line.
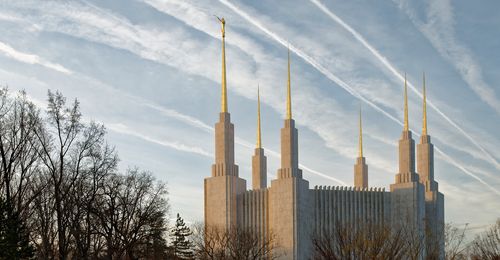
pixel 338 81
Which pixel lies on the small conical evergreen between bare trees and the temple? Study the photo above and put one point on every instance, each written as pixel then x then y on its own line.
pixel 182 247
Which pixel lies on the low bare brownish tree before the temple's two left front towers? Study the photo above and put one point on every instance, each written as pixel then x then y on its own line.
pixel 238 243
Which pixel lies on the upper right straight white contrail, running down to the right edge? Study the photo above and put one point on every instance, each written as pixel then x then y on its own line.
pixel 398 75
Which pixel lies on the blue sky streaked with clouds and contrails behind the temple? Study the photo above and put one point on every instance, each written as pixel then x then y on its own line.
pixel 150 71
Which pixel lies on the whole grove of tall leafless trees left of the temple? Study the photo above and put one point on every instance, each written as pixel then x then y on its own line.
pixel 59 173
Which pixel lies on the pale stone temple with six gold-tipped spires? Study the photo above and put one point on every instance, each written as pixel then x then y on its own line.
pixel 293 212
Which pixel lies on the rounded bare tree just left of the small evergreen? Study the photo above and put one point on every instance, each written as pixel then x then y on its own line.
pixel 131 213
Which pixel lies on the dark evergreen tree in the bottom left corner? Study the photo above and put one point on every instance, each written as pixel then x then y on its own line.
pixel 14 236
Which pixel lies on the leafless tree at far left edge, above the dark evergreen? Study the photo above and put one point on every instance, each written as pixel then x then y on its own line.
pixel 18 150
